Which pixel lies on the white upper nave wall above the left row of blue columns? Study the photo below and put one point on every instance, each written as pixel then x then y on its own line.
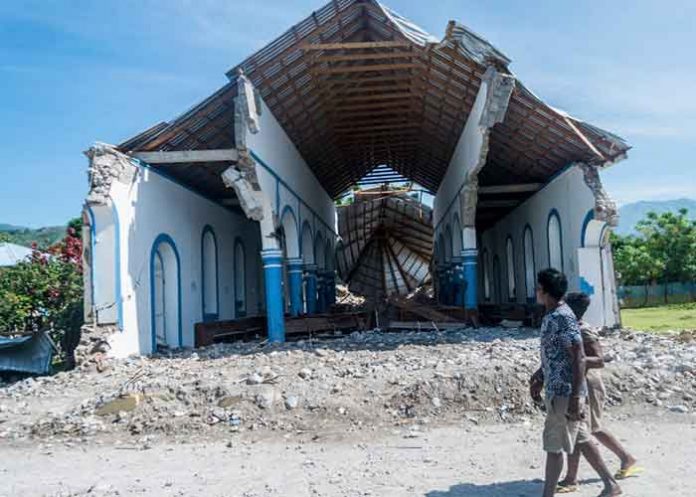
pixel 273 146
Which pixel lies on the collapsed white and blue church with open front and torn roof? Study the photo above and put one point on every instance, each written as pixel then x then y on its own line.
pixel 227 212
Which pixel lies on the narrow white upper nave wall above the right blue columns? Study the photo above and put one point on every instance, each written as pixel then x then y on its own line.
pixel 465 158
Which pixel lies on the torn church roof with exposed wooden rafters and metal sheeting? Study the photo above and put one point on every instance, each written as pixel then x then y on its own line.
pixel 356 85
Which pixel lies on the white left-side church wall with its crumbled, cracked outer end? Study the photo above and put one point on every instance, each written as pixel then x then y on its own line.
pixel 149 205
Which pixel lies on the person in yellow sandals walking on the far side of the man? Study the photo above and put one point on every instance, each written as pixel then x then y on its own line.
pixel 594 361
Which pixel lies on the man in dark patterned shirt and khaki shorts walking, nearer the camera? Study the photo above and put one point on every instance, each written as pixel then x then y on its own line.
pixel 562 377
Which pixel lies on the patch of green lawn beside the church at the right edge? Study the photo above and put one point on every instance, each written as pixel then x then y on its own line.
pixel 669 317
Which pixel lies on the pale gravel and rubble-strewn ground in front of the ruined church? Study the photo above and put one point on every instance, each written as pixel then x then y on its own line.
pixel 335 417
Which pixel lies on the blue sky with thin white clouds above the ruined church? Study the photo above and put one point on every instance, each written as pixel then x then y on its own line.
pixel 78 71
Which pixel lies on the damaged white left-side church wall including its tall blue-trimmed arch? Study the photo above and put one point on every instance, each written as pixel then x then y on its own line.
pixel 154 208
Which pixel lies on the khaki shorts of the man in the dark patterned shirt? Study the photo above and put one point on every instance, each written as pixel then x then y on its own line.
pixel 561 434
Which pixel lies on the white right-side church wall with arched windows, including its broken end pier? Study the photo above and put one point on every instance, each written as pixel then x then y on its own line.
pixel 568 199
